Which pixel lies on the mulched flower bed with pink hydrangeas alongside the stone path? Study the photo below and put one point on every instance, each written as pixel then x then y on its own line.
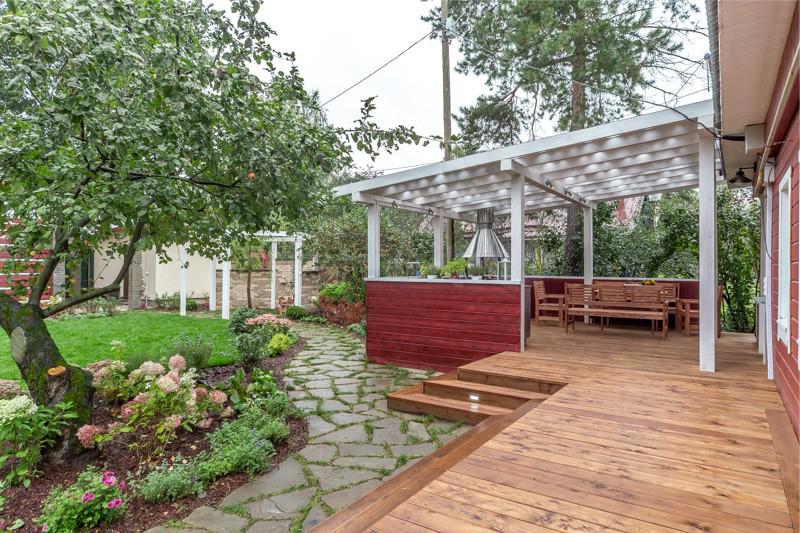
pixel 162 418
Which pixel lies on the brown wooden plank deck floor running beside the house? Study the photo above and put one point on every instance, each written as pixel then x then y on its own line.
pixel 636 439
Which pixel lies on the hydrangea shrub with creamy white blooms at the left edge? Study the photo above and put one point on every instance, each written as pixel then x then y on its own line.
pixel 25 431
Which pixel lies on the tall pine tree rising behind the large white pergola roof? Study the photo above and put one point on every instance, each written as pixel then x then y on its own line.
pixel 577 62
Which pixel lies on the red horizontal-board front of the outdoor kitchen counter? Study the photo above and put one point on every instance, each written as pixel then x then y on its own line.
pixel 440 325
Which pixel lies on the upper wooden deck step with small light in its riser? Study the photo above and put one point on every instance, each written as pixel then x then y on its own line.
pixel 481 393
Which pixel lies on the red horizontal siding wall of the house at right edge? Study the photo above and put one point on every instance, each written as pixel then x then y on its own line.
pixel 787 376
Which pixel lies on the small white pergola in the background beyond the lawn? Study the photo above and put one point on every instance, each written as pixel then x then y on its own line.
pixel 272 237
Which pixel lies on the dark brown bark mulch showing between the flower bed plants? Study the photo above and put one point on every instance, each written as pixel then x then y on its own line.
pixel 140 515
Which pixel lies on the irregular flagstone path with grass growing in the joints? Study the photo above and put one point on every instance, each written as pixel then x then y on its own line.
pixel 355 442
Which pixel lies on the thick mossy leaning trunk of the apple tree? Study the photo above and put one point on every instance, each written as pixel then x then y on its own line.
pixel 35 352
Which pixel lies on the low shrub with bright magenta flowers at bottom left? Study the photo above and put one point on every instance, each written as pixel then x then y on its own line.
pixel 94 499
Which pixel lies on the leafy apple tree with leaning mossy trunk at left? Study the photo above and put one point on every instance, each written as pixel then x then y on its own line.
pixel 139 124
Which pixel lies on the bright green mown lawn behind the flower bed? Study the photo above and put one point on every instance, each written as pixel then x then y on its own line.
pixel 85 340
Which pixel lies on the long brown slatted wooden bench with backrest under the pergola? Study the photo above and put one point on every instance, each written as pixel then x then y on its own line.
pixel 612 301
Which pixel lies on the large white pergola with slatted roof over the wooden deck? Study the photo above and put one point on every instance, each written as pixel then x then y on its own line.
pixel 659 152
